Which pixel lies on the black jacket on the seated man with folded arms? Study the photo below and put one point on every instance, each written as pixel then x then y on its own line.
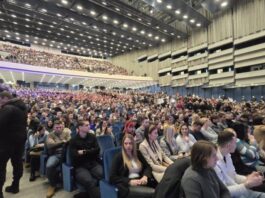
pixel 89 143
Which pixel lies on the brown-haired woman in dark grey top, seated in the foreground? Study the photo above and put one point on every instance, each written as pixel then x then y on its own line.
pixel 200 179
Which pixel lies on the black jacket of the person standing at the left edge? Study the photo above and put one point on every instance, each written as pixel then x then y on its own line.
pixel 13 123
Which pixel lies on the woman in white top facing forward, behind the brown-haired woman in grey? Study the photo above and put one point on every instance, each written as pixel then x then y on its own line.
pixel 185 140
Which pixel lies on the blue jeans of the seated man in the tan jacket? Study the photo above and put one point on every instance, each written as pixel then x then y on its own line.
pixel 54 161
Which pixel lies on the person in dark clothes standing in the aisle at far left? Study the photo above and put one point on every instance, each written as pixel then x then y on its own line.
pixel 13 123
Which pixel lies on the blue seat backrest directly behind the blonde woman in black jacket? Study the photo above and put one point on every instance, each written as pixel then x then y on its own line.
pixel 107 160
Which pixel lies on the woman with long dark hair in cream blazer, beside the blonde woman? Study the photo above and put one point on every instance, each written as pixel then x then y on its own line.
pixel 153 153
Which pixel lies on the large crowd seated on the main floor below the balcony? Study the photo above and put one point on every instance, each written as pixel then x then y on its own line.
pixel 223 139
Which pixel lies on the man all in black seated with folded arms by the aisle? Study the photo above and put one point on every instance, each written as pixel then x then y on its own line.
pixel 84 151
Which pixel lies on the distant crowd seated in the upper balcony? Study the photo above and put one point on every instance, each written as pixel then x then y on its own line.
pixel 34 57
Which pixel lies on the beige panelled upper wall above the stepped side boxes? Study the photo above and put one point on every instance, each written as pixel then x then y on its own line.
pixel 246 18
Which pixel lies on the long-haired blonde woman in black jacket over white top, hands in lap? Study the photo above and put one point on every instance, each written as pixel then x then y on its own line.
pixel 130 172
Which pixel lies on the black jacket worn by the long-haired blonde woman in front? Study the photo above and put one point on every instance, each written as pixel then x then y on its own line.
pixel 119 174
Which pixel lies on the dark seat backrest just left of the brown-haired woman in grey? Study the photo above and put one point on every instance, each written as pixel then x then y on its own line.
pixel 170 185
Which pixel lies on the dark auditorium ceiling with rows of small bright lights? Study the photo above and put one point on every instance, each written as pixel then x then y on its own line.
pixel 103 28
